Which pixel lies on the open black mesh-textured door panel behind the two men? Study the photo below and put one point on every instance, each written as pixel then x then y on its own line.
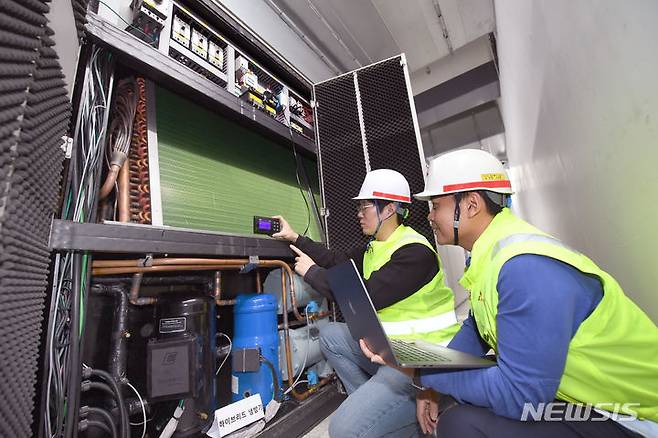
pixel 390 132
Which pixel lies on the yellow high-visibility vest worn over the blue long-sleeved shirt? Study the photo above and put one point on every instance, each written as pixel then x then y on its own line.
pixel 612 358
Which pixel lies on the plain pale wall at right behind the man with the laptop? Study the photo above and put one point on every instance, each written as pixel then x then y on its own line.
pixel 580 107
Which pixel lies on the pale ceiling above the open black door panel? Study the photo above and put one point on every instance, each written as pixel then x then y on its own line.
pixel 354 33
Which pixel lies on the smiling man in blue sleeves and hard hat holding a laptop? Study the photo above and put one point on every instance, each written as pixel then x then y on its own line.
pixel 576 357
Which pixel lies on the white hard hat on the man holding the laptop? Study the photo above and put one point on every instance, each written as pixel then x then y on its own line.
pixel 465 170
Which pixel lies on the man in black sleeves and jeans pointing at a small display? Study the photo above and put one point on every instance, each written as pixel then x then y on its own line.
pixel 404 278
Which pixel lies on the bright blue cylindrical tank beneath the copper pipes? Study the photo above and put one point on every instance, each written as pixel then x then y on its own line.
pixel 255 320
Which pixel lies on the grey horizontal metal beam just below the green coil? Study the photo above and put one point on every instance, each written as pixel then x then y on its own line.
pixel 115 237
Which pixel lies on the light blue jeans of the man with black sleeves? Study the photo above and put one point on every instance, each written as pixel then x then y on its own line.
pixel 381 401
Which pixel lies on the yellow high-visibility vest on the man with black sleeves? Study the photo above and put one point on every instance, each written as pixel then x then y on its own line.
pixel 429 313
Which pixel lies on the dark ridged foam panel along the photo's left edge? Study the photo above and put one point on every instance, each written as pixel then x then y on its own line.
pixel 34 114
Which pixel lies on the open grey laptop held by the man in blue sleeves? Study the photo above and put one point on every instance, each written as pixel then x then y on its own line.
pixel 361 317
